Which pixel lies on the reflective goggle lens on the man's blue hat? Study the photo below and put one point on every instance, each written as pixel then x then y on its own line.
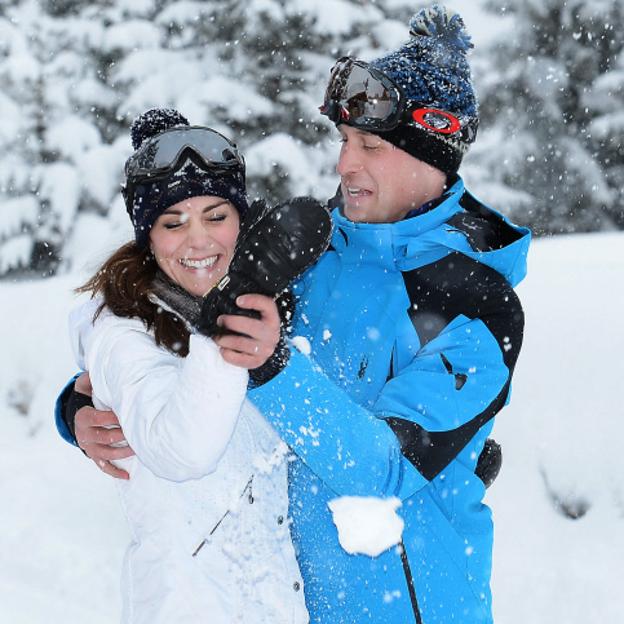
pixel 355 95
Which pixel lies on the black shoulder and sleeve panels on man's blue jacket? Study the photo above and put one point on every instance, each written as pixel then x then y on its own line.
pixel 440 292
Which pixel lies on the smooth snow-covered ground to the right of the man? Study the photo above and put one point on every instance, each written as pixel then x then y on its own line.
pixel 562 433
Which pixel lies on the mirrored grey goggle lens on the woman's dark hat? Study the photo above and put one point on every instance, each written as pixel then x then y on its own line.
pixel 163 151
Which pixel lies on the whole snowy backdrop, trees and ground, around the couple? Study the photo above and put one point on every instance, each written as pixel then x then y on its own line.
pixel 550 75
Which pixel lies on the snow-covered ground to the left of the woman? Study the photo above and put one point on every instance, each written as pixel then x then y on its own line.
pixel 62 535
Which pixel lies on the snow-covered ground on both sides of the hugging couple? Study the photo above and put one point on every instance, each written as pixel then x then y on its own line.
pixel 62 535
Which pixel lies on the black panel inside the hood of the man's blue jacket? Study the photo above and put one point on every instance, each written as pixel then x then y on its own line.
pixel 484 230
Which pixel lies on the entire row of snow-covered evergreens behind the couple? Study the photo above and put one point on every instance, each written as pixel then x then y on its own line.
pixel 549 74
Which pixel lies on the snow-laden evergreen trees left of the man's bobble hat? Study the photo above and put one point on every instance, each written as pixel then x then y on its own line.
pixel 75 73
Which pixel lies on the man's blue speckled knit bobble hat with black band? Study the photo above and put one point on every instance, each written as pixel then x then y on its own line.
pixel 432 70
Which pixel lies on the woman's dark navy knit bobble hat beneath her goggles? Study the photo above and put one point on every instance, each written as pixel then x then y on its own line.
pixel 152 198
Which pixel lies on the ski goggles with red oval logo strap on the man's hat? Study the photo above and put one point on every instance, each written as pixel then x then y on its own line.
pixel 364 97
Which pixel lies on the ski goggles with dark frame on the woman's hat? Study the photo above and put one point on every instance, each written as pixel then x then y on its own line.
pixel 163 154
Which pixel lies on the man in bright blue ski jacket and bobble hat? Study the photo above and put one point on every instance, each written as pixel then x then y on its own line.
pixel 413 331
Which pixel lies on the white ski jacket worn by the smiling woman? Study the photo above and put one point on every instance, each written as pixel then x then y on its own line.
pixel 207 497
